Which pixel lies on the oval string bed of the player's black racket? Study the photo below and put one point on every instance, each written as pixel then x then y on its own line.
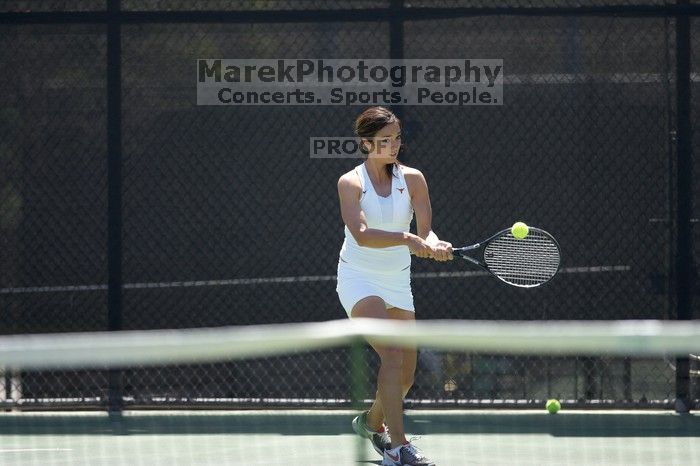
pixel 525 262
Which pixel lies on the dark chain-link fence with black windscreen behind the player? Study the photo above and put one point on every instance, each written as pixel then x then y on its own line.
pixel 583 147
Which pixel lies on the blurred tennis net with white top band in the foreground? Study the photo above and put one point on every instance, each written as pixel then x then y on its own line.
pixel 270 426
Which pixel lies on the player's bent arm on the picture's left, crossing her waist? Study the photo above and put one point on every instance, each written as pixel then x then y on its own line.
pixel 349 191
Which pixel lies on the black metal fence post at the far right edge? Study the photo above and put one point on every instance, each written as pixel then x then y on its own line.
pixel 685 276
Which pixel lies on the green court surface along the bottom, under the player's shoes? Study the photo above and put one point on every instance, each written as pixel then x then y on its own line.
pixel 324 437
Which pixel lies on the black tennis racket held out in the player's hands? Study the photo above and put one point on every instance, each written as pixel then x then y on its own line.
pixel 526 263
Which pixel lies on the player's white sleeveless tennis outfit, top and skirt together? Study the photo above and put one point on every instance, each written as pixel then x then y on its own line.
pixel 382 272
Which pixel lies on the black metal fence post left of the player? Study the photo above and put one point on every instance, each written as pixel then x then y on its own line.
pixel 114 193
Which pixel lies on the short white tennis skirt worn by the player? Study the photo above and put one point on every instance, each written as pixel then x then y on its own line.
pixel 356 283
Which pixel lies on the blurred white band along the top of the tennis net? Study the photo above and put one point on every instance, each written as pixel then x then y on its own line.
pixel 163 347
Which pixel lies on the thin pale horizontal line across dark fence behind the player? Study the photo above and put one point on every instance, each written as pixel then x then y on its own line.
pixel 296 279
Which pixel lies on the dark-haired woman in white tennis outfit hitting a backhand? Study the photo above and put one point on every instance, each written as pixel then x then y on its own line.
pixel 377 201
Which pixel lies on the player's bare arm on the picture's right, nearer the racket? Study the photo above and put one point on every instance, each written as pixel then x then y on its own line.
pixel 420 200
